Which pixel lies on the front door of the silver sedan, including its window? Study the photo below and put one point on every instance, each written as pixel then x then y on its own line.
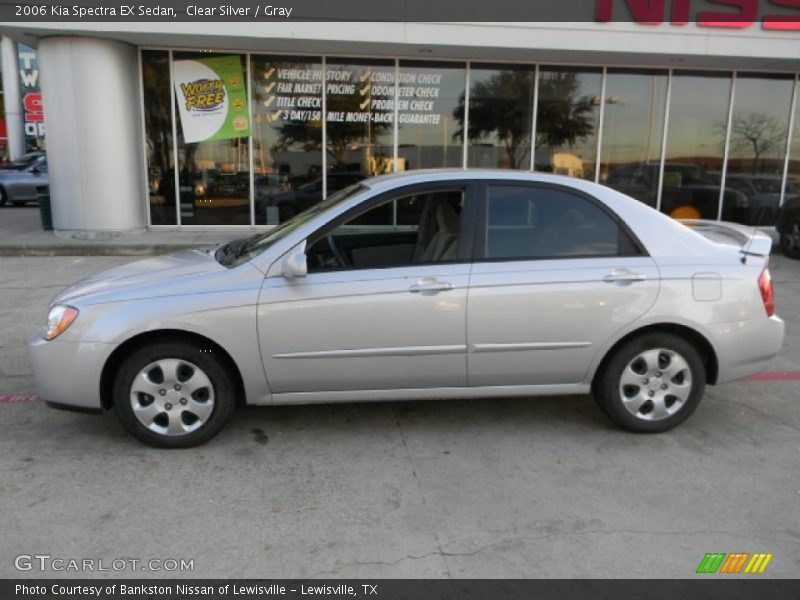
pixel 383 318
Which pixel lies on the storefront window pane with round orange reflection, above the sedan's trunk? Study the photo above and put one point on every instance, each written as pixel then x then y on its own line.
pixel 698 114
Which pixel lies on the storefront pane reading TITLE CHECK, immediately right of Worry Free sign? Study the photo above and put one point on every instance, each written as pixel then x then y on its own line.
pixel 287 135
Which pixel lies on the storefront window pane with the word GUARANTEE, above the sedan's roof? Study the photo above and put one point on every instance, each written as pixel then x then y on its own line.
pixel 428 97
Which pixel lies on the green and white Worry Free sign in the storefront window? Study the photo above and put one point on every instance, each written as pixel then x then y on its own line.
pixel 211 97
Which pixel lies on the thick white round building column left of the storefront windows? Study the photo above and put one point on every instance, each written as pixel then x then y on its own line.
pixel 90 89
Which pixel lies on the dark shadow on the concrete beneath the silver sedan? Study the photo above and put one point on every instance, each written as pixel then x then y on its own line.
pixel 259 424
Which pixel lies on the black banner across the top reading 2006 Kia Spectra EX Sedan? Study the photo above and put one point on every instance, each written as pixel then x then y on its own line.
pixel 773 14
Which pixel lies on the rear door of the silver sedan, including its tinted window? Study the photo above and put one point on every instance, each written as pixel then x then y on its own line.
pixel 556 274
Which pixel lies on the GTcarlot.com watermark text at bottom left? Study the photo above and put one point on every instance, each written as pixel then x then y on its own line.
pixel 48 562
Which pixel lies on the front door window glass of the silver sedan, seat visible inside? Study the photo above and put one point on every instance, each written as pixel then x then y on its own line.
pixel 419 228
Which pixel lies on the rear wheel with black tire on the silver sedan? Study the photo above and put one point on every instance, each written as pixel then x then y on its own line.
pixel 650 399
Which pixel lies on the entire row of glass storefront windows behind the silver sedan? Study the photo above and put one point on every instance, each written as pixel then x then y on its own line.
pixel 292 170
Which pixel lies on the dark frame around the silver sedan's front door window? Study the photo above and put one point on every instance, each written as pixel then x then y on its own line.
pixel 466 242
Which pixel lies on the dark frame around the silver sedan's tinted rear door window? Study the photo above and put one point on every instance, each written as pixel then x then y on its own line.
pixel 481 223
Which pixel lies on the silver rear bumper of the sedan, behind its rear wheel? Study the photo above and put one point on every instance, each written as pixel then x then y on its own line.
pixel 747 347
